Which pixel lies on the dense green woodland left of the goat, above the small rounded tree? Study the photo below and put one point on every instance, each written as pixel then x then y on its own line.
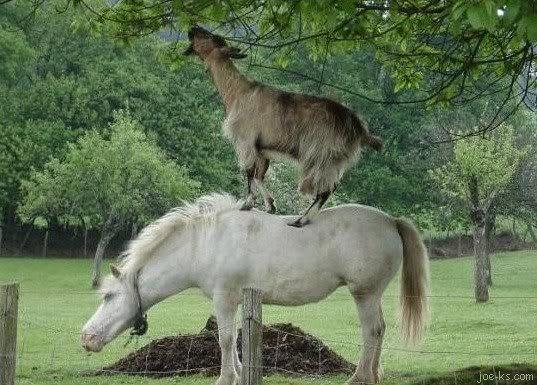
pixel 71 81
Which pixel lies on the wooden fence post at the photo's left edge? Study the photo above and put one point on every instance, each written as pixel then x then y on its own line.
pixel 9 297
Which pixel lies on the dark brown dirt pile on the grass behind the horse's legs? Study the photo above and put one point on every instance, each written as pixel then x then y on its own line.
pixel 286 349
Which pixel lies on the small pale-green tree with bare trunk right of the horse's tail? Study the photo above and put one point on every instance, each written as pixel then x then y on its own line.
pixel 481 169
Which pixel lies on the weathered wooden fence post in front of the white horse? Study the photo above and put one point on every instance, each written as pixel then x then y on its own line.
pixel 252 337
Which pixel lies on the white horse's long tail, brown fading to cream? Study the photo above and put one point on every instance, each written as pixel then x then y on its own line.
pixel 414 302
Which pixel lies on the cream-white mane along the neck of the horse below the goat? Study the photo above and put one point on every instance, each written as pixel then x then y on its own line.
pixel 204 209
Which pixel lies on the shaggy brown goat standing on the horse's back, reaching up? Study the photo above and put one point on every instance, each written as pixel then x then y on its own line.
pixel 262 122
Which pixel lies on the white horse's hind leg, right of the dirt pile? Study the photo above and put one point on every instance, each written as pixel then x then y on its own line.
pixel 373 326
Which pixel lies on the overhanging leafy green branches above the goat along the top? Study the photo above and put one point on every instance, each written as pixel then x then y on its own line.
pixel 450 51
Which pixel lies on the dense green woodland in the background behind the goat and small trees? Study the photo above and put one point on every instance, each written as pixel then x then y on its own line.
pixel 70 80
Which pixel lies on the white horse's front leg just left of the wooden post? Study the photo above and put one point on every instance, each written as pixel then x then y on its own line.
pixel 226 308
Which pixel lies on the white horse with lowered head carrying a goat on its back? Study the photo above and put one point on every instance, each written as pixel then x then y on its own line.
pixel 214 246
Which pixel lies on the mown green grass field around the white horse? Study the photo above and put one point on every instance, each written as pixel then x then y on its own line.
pixel 56 301
